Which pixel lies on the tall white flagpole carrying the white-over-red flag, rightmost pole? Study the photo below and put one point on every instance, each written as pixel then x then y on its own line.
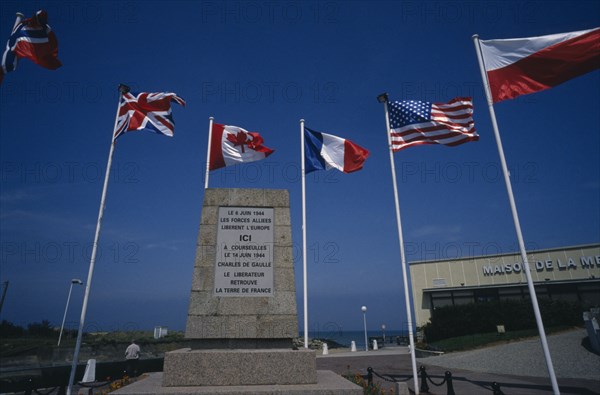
pixel 513 207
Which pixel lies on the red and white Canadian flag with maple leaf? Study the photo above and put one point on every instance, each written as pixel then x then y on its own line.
pixel 231 145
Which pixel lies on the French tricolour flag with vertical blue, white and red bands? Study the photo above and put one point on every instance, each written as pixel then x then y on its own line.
pixel 324 151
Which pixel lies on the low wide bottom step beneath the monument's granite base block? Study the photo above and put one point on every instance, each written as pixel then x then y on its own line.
pixel 328 383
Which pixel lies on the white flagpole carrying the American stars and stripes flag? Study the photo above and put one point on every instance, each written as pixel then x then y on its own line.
pixel 402 256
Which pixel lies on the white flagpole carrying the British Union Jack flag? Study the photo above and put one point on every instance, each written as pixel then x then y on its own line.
pixel 88 284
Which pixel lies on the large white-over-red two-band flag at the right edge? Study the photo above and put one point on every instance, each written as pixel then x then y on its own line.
pixel 520 66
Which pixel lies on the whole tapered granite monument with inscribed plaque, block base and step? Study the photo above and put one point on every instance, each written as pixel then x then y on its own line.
pixel 242 315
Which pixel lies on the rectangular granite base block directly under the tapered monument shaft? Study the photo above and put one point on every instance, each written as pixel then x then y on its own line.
pixel 214 367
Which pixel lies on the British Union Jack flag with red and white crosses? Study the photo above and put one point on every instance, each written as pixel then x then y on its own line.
pixel 146 111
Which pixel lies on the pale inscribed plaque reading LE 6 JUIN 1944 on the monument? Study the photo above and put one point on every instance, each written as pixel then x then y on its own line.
pixel 244 264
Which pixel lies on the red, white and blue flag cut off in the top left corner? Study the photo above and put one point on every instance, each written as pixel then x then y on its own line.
pixel 33 39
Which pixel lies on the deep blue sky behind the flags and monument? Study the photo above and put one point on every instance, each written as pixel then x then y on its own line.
pixel 263 66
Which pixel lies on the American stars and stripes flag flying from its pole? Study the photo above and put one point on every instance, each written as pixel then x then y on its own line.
pixel 414 122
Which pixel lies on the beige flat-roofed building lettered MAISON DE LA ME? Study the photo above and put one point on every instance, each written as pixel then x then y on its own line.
pixel 569 273
